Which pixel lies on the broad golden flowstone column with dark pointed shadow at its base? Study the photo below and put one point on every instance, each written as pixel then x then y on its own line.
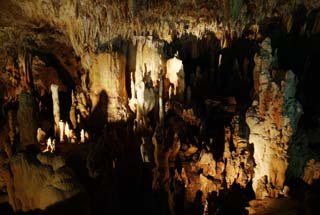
pixel 108 75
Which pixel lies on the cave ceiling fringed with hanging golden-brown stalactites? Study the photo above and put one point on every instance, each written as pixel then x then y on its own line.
pixel 88 26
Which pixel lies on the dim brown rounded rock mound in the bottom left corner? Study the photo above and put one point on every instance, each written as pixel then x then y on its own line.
pixel 37 184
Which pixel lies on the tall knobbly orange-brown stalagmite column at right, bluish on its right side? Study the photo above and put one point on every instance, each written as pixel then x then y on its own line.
pixel 272 120
